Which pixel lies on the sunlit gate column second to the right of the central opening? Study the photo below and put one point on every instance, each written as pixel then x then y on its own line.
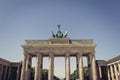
pixel 80 66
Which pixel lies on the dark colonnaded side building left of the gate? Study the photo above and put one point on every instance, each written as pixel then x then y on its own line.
pixel 8 68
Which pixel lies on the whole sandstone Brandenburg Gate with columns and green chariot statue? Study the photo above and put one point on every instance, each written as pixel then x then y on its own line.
pixel 58 47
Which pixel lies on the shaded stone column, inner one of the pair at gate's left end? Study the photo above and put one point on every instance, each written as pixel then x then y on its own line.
pixel 28 67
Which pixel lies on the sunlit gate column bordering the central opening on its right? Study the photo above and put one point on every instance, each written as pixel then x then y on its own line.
pixel 67 66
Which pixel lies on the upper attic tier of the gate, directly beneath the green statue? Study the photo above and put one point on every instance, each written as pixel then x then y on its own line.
pixel 58 41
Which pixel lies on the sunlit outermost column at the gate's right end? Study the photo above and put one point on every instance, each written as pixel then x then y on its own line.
pixel 93 66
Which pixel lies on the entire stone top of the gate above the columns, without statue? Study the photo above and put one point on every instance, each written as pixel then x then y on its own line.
pixel 59 46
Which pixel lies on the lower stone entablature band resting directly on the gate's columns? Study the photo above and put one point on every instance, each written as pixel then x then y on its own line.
pixel 58 50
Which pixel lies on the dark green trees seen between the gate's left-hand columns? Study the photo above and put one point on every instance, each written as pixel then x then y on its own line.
pixel 44 74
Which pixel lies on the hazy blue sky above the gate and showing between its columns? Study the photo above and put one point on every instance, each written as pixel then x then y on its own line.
pixel 27 19
